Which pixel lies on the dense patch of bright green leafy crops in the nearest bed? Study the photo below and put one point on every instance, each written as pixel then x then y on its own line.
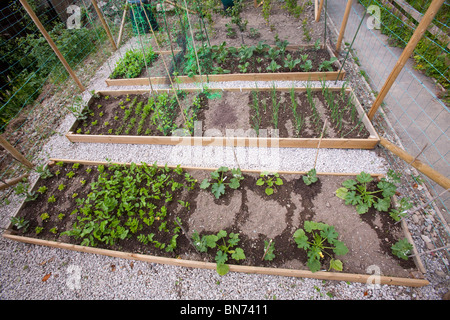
pixel 125 201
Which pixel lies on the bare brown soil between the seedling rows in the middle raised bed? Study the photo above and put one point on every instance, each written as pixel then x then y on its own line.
pixel 106 115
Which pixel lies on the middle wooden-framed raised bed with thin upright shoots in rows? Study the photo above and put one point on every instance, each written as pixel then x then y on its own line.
pixel 250 114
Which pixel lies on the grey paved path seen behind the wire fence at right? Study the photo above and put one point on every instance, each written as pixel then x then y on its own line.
pixel 411 105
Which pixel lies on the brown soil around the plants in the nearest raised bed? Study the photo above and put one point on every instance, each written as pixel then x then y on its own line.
pixel 294 200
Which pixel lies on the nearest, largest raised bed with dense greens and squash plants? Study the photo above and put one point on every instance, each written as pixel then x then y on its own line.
pixel 109 206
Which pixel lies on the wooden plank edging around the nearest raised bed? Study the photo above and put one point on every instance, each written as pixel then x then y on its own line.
pixel 321 275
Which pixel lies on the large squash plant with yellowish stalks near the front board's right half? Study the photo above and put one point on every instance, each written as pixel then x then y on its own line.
pixel 320 239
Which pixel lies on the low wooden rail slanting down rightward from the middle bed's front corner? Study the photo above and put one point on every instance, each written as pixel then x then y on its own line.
pixel 419 165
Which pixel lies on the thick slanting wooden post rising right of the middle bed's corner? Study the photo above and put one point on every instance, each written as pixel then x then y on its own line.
pixel 418 33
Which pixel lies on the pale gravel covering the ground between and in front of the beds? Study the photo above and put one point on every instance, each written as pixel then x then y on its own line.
pixel 36 272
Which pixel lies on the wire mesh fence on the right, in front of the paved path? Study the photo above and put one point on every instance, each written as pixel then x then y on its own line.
pixel 414 114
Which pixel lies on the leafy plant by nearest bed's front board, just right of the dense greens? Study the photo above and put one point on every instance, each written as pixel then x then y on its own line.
pixel 225 247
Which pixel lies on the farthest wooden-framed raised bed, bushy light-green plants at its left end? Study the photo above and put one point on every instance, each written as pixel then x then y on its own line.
pixel 259 62
